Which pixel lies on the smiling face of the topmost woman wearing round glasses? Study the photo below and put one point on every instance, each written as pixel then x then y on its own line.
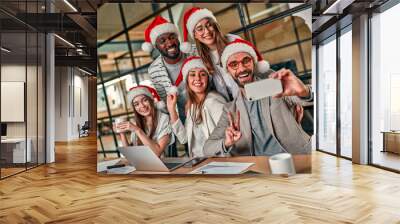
pixel 204 32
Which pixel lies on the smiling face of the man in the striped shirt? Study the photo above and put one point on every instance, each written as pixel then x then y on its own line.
pixel 168 45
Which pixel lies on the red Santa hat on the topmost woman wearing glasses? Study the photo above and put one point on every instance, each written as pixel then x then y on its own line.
pixel 190 19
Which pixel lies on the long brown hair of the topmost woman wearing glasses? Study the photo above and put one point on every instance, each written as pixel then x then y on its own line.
pixel 204 52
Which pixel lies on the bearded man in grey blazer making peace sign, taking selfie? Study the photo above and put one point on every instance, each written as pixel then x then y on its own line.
pixel 263 127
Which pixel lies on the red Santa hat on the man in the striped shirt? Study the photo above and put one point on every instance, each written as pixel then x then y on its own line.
pixel 158 27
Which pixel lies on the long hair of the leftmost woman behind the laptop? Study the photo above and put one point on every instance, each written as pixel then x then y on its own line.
pixel 141 121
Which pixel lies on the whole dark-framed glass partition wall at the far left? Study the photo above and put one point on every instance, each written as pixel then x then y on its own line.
pixel 22 92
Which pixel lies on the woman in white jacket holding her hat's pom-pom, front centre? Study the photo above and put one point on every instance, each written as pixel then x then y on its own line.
pixel 203 108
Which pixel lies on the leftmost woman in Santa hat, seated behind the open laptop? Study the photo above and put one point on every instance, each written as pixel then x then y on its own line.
pixel 151 126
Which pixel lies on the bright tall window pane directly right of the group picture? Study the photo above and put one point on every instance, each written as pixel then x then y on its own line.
pixel 327 96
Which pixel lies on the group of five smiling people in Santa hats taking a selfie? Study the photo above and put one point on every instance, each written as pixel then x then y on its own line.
pixel 199 99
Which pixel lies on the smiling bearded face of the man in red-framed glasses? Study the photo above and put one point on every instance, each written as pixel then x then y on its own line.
pixel 241 67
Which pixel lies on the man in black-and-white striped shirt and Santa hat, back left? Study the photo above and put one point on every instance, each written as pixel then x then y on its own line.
pixel 165 69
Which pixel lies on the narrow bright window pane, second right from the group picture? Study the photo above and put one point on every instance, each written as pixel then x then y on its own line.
pixel 345 93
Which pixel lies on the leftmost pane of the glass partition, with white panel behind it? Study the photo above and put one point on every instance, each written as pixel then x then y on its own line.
pixel 14 150
